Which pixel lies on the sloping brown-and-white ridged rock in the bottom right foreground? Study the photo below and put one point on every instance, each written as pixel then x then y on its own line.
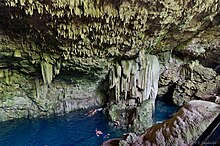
pixel 183 129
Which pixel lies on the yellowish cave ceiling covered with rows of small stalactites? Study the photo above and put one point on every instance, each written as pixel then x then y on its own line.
pixel 87 35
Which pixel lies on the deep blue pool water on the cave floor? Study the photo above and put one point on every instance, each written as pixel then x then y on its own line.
pixel 74 129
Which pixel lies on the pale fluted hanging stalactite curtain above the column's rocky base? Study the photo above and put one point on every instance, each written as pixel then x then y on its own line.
pixel 133 79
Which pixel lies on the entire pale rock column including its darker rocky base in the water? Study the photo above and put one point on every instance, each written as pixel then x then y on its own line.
pixel 133 86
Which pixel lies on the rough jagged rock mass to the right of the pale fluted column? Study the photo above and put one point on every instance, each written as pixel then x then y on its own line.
pixel 188 81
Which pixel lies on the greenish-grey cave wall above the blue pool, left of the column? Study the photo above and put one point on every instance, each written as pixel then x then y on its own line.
pixel 28 96
